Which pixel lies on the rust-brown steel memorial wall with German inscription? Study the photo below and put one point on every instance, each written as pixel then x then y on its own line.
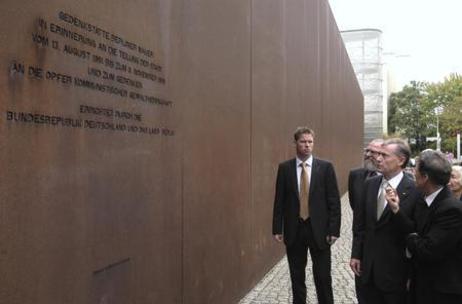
pixel 139 142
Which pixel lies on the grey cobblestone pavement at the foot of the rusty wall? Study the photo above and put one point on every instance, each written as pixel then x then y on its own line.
pixel 275 288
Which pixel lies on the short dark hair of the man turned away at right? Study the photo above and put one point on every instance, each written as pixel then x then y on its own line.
pixel 435 166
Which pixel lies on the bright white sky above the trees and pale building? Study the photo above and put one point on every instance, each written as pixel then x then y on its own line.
pixel 421 40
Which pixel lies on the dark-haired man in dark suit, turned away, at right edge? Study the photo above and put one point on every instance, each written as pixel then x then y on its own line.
pixel 436 247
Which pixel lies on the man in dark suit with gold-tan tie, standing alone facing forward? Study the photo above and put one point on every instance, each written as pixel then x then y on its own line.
pixel 306 216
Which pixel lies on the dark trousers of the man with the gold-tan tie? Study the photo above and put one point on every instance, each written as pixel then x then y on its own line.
pixel 297 256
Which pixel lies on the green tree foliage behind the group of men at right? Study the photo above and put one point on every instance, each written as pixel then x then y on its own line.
pixel 412 112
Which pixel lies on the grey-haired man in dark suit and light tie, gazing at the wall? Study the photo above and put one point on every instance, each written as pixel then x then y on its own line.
pixel 378 251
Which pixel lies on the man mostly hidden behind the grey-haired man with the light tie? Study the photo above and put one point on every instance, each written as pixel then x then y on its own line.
pixel 356 179
